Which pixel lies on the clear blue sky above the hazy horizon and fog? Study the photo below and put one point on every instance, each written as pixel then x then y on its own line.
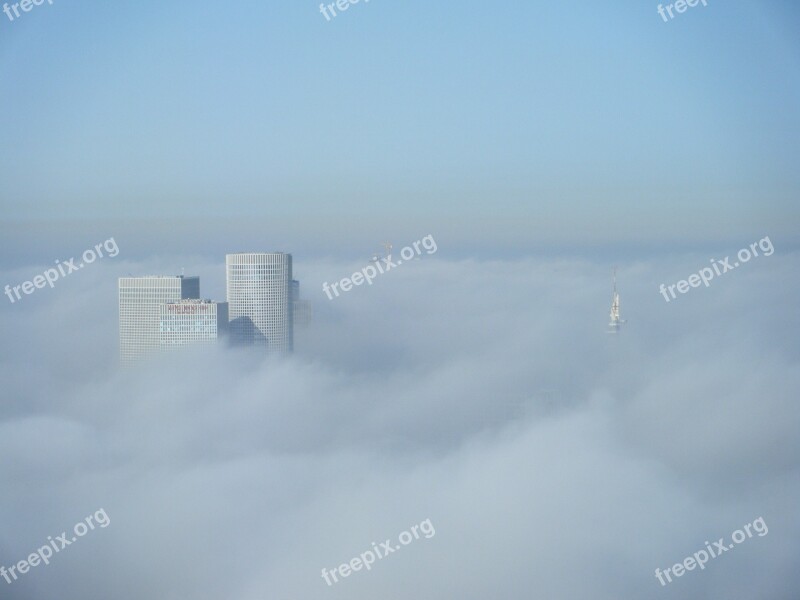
pixel 590 118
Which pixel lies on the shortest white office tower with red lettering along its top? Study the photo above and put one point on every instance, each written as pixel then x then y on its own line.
pixel 192 322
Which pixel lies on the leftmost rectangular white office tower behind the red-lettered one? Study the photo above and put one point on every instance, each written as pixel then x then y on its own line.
pixel 140 299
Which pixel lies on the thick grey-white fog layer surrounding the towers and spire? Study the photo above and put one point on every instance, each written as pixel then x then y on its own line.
pixel 551 457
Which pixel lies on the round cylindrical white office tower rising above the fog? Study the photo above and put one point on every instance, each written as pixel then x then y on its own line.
pixel 260 299
